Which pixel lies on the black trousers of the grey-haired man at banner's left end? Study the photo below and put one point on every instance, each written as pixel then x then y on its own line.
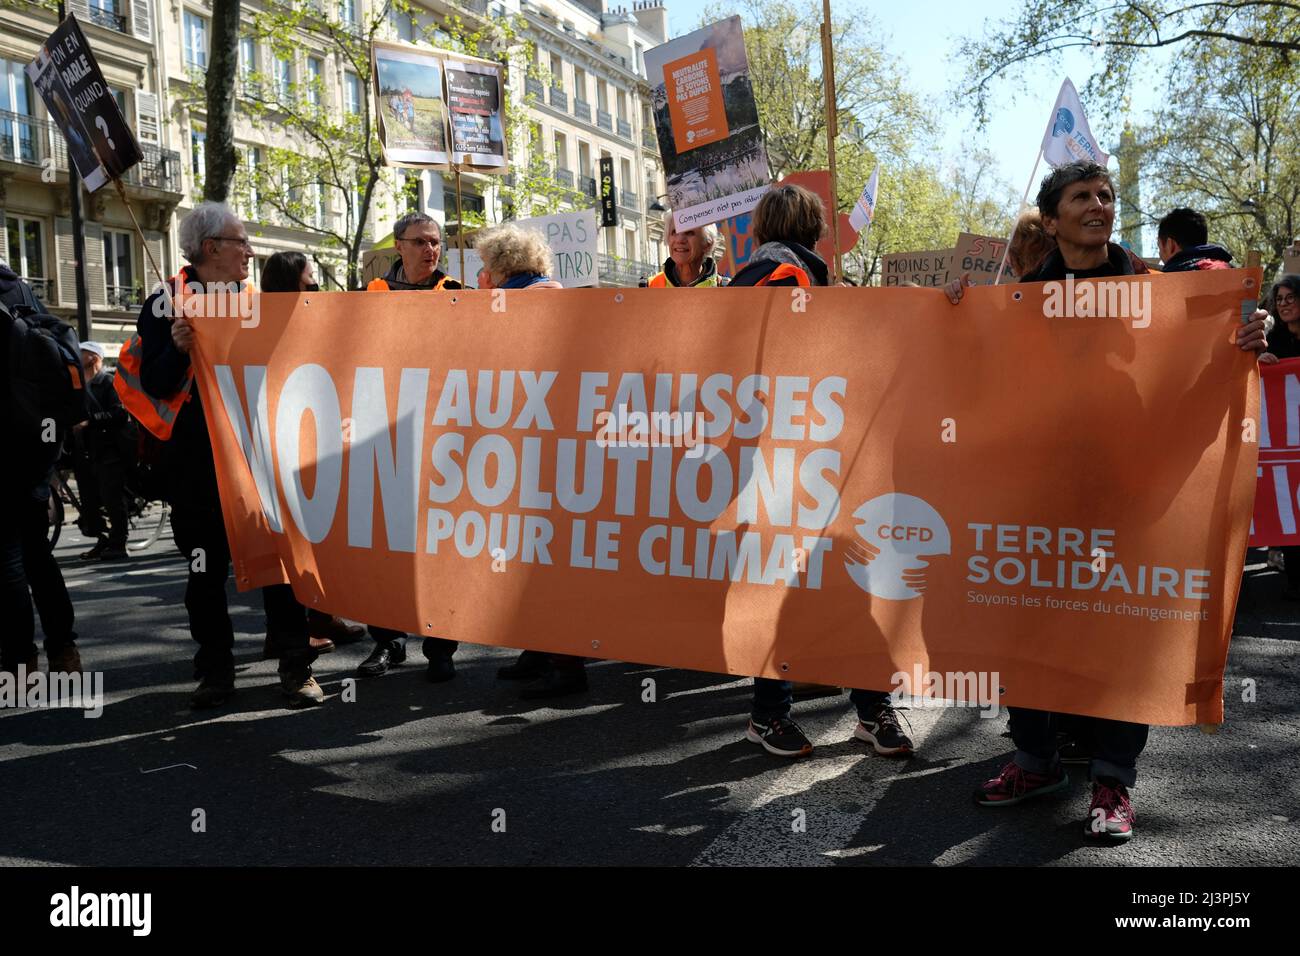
pixel 201 537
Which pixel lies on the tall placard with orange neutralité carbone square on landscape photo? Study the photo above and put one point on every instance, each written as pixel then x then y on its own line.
pixel 707 122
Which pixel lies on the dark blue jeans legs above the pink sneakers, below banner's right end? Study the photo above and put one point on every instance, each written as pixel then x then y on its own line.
pixel 1116 745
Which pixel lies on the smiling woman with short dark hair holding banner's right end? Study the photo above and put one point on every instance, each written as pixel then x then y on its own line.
pixel 1077 202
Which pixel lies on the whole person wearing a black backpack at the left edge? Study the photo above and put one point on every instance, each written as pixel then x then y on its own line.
pixel 40 403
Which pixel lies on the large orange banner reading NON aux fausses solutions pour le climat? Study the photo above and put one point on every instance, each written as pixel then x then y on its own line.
pixel 1047 483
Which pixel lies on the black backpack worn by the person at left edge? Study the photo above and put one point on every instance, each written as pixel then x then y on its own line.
pixel 46 383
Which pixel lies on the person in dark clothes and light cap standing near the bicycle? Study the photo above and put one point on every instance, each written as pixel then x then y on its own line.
pixel 106 444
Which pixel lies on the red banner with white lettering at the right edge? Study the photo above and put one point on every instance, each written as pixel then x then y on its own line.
pixel 1277 511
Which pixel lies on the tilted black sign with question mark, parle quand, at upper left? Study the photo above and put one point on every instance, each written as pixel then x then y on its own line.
pixel 70 81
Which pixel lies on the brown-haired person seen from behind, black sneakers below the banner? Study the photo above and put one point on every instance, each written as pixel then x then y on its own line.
pixel 788 223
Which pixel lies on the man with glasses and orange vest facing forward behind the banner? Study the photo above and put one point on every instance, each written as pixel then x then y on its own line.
pixel 419 241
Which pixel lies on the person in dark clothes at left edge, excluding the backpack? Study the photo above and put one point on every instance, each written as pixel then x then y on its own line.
pixel 29 572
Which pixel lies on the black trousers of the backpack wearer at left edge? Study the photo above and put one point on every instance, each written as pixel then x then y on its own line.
pixel 31 573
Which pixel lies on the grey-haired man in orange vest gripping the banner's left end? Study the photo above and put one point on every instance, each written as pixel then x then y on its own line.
pixel 216 245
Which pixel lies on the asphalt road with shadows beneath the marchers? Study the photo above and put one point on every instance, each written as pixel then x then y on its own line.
pixel 466 773
